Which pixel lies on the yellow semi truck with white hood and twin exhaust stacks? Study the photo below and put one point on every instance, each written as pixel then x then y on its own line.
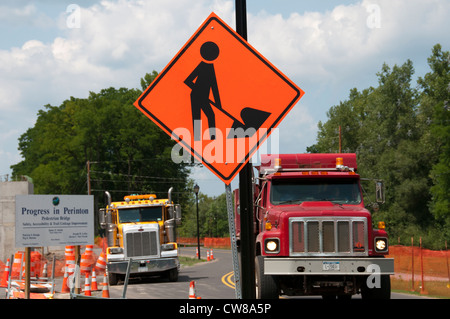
pixel 141 228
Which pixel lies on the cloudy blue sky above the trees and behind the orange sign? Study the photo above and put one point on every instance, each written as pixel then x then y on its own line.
pixel 326 47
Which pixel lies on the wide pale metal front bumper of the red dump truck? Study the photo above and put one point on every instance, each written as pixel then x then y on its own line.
pixel 328 266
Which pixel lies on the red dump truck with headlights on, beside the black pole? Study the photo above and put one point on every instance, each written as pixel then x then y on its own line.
pixel 314 235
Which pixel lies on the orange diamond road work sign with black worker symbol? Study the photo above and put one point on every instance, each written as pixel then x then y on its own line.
pixel 219 98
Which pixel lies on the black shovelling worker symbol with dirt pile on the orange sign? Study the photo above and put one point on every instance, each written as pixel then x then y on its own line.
pixel 202 81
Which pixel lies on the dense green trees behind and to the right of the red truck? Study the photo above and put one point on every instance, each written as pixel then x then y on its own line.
pixel 401 135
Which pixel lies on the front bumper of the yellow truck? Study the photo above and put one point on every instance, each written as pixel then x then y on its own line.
pixel 144 265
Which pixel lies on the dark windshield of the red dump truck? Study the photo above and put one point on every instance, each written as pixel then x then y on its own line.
pixel 339 191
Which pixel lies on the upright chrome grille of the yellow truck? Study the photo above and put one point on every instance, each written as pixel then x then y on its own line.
pixel 141 243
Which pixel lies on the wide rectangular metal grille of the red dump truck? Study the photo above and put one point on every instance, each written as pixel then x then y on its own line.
pixel 328 236
